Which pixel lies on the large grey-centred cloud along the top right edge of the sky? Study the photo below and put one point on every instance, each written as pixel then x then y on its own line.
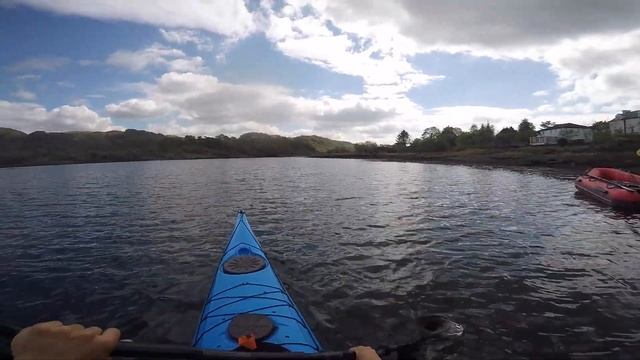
pixel 503 24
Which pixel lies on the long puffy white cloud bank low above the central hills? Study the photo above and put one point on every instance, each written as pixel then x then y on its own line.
pixel 199 104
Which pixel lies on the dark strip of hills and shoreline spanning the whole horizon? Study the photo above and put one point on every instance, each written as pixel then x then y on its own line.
pixel 41 148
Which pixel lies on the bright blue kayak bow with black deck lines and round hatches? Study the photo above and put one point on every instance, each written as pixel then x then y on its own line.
pixel 248 301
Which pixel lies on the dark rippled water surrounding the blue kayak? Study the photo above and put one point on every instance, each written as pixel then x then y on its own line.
pixel 364 247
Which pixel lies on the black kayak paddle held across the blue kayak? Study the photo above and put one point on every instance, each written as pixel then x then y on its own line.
pixel 433 327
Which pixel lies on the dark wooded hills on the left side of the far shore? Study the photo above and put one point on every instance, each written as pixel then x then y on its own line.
pixel 38 148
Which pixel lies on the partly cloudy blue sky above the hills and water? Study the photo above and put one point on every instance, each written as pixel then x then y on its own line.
pixel 352 70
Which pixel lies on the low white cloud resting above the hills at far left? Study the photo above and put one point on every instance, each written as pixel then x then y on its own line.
pixel 29 117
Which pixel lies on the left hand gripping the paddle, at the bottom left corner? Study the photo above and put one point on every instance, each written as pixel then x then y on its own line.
pixel 53 340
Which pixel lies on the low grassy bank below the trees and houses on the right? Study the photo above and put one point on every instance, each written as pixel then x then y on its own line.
pixel 543 156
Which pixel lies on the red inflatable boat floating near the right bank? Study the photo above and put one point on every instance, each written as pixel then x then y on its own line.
pixel 614 187
